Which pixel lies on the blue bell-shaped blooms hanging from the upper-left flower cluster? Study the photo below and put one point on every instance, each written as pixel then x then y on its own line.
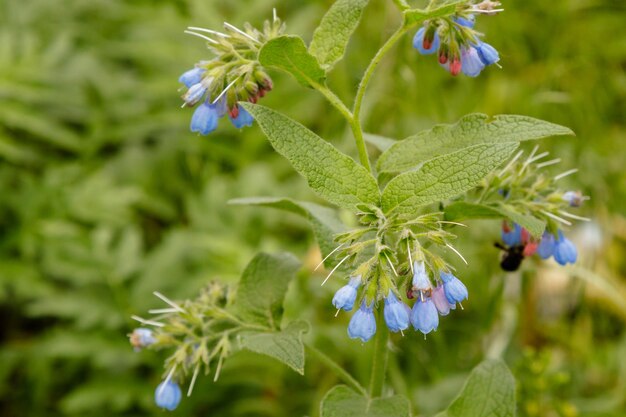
pixel 207 115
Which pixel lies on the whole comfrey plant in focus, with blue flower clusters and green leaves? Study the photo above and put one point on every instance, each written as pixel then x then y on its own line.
pixel 409 207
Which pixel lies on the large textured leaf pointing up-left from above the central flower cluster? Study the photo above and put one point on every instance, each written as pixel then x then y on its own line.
pixel 334 175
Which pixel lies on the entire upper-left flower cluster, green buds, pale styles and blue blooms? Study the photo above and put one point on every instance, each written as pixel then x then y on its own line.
pixel 233 75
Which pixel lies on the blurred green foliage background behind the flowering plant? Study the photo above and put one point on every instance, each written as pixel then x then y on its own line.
pixel 106 197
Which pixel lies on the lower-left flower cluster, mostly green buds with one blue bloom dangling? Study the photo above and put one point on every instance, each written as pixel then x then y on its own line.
pixel 201 331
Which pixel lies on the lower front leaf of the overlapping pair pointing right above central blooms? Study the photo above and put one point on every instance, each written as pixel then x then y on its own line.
pixel 444 177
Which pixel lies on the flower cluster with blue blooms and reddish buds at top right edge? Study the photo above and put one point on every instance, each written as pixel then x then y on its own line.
pixel 456 43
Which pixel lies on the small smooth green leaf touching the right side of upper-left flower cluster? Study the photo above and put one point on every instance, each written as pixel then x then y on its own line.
pixel 289 54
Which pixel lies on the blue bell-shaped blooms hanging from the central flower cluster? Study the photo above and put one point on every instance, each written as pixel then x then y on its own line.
pixel 424 316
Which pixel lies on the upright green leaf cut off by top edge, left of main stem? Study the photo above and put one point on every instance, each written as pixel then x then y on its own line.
pixel 331 37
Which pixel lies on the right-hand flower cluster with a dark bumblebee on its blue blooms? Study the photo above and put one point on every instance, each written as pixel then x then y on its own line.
pixel 523 187
